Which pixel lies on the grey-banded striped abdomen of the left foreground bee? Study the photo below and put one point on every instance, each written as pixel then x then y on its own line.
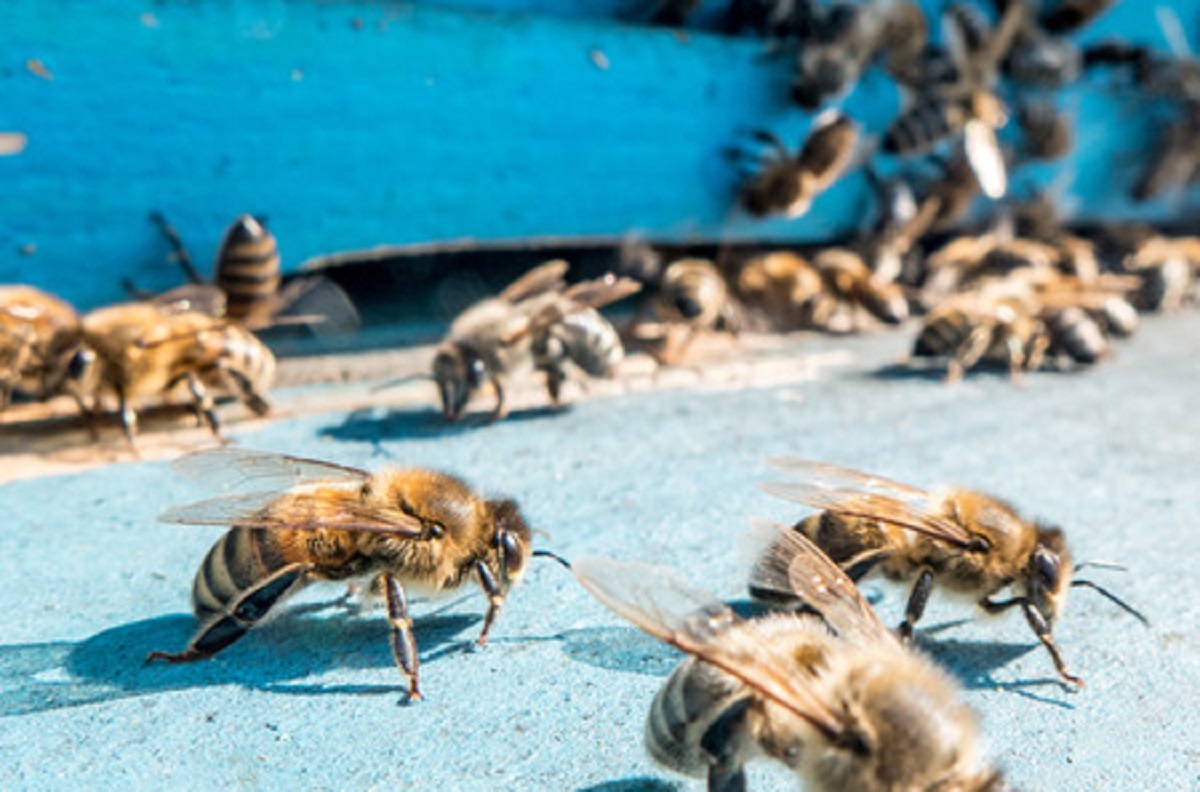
pixel 239 560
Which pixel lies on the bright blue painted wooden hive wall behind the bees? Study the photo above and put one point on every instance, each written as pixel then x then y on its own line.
pixel 352 125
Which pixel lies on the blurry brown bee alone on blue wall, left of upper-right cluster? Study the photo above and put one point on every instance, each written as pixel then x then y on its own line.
pixel 788 184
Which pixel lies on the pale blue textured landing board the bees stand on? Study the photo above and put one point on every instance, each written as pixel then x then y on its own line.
pixel 557 703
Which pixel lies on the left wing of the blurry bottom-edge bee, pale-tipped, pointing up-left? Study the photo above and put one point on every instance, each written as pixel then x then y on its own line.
pixel 661 603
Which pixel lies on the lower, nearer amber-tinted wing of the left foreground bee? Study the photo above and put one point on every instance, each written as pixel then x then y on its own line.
pixel 251 511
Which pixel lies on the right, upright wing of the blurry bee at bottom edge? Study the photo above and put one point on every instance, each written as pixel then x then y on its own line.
pixel 794 561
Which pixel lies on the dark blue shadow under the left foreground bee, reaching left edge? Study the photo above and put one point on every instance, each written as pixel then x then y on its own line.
pixel 298 645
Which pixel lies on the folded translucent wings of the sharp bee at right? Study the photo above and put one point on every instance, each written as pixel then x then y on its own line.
pixel 861 495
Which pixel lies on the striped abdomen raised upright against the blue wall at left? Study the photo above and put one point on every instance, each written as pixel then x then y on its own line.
pixel 248 271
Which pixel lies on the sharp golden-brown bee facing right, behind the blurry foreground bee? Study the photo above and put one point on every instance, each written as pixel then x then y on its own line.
pixel 963 541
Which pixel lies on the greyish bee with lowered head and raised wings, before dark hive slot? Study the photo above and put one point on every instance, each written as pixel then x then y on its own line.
pixel 496 338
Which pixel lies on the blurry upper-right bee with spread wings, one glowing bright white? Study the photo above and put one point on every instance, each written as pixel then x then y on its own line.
pixel 968 110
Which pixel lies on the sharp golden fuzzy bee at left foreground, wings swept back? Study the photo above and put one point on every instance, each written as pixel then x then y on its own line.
pixel 310 521
